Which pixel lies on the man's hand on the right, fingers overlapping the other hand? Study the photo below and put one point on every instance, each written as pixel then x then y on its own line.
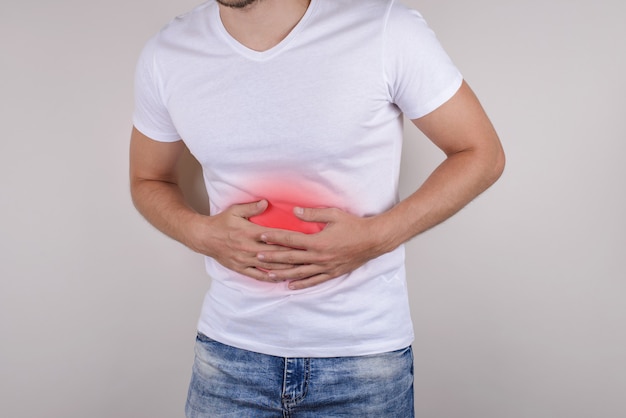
pixel 346 243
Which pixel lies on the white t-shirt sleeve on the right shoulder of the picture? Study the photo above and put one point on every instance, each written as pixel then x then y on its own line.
pixel 419 73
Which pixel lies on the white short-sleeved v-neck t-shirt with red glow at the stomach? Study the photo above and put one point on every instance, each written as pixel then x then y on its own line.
pixel 314 121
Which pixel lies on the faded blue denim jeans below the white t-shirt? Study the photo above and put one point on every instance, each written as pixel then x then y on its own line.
pixel 230 382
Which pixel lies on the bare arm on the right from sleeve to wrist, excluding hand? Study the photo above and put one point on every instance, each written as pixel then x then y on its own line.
pixel 474 161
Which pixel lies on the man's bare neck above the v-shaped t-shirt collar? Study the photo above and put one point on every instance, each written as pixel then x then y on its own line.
pixel 263 24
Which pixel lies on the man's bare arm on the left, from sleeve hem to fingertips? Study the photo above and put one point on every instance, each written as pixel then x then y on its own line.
pixel 228 237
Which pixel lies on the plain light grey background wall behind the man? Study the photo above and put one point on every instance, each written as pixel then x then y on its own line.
pixel 518 301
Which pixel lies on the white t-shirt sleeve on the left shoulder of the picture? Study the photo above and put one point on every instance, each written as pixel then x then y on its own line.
pixel 151 116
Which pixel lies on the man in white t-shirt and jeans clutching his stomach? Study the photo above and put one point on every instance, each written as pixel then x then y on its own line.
pixel 294 110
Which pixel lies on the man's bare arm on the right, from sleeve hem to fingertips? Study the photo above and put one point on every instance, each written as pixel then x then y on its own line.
pixel 474 161
